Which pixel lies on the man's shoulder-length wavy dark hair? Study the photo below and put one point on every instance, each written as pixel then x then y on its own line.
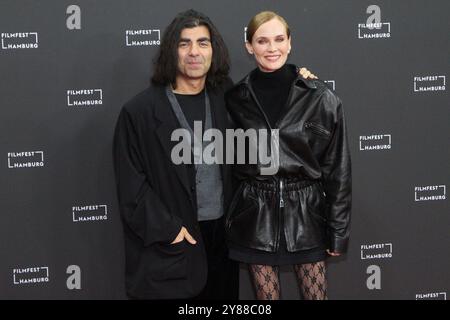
pixel 166 64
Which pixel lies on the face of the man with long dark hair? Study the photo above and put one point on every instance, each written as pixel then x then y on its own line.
pixel 194 53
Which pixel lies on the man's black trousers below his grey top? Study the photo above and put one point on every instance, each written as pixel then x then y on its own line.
pixel 223 273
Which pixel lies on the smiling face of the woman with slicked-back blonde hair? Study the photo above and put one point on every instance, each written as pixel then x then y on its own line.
pixel 270 45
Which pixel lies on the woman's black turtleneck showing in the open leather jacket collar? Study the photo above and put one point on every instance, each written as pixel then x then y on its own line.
pixel 272 90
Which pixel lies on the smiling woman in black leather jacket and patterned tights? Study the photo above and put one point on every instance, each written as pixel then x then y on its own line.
pixel 301 214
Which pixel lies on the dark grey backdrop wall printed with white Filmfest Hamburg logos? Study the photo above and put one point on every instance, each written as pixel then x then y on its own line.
pixel 67 67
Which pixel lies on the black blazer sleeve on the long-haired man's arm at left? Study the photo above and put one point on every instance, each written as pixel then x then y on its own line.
pixel 141 208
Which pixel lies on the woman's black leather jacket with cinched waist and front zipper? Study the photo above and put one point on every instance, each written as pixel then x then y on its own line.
pixel 314 169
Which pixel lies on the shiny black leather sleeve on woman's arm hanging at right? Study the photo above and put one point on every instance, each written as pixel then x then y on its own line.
pixel 336 169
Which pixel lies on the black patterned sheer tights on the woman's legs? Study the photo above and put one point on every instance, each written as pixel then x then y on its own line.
pixel 311 278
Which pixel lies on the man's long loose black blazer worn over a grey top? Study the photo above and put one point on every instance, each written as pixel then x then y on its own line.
pixel 157 198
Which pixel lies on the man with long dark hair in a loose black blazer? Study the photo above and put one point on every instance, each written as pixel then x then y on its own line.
pixel 173 215
